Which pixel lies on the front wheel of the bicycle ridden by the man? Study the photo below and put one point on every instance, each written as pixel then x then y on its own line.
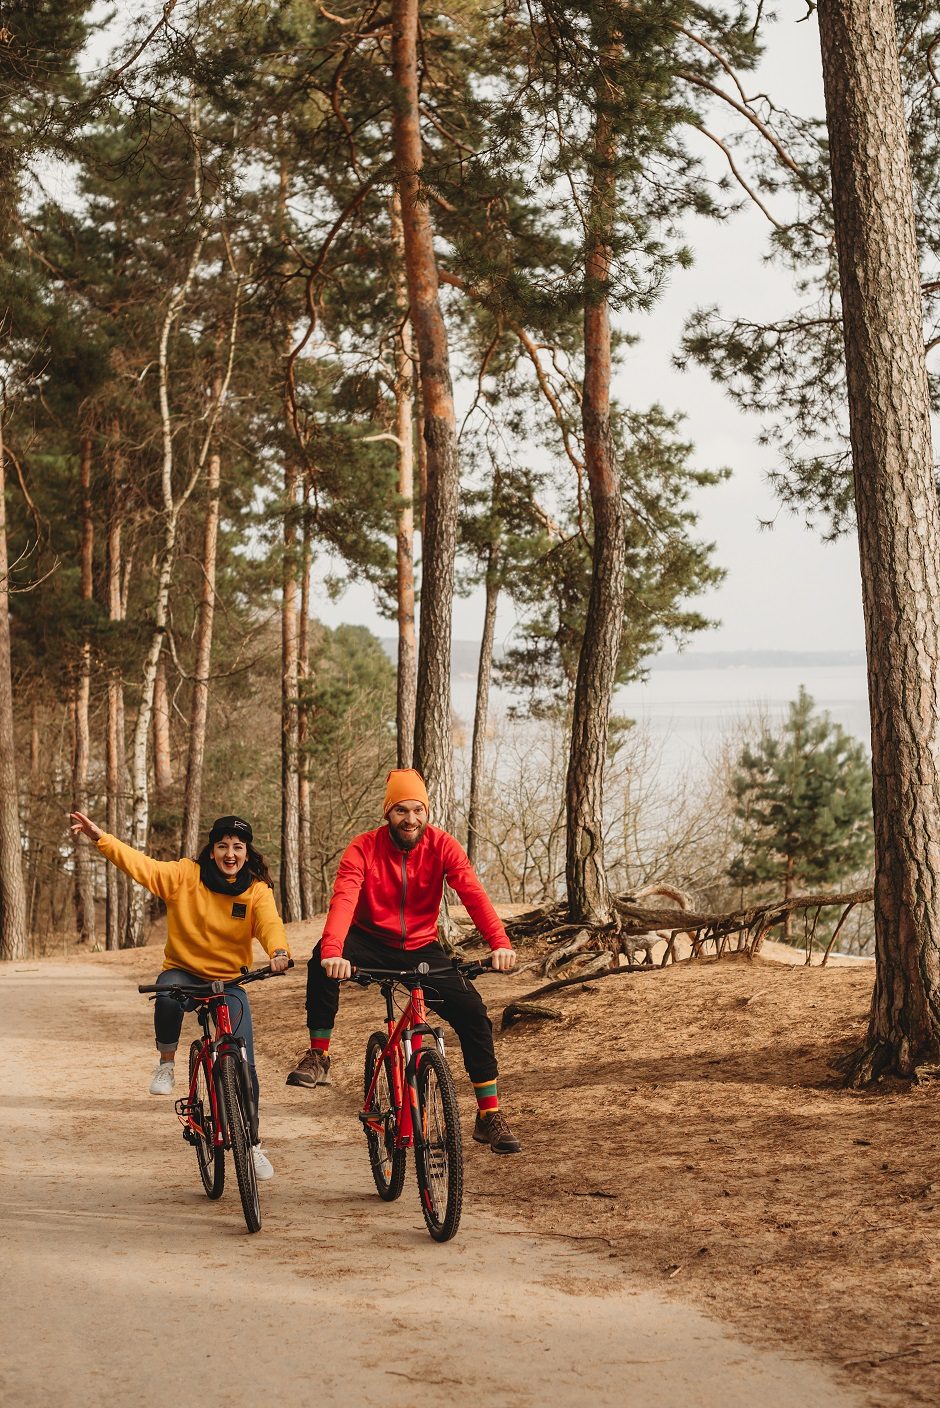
pixel 440 1159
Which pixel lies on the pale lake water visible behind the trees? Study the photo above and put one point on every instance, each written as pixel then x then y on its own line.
pixel 689 713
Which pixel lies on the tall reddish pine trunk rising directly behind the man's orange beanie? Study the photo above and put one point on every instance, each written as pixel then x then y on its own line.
pixel 434 740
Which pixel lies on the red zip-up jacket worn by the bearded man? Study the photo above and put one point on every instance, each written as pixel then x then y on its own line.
pixel 395 896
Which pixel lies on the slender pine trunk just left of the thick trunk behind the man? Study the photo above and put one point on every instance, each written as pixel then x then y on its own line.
pixel 407 677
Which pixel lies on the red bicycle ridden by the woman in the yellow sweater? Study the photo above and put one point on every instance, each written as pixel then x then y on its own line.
pixel 220 1110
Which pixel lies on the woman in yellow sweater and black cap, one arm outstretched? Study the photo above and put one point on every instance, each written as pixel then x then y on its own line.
pixel 216 907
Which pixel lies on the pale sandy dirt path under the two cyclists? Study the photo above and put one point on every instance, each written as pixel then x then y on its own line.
pixel 126 1288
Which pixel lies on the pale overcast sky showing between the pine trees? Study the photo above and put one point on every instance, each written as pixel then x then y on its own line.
pixel 786 589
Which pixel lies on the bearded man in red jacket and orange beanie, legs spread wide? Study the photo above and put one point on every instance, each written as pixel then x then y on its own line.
pixel 385 905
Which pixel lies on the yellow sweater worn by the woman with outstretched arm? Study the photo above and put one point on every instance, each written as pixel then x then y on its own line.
pixel 206 934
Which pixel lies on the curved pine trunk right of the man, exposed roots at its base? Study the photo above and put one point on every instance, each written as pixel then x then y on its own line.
pixel 587 889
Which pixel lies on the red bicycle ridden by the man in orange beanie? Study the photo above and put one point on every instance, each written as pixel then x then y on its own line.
pixel 412 1100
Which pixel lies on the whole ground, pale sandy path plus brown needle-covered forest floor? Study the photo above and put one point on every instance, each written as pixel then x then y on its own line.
pixel 701 1216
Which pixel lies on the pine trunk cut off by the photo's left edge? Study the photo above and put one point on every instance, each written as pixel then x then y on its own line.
pixel 13 892
